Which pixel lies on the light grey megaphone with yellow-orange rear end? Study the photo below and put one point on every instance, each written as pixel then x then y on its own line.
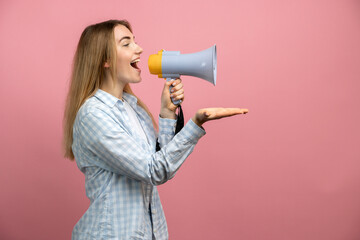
pixel 172 64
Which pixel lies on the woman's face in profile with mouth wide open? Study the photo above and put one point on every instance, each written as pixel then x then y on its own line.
pixel 128 56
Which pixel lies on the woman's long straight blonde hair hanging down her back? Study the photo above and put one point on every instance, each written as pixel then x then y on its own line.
pixel 96 46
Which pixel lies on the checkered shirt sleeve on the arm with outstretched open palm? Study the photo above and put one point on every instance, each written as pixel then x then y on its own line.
pixel 110 146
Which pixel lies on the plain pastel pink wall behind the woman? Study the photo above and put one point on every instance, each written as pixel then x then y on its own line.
pixel 290 169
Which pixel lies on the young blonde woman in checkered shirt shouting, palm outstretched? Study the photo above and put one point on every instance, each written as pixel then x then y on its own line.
pixel 112 136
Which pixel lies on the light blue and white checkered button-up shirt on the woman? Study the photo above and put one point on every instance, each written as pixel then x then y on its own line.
pixel 122 169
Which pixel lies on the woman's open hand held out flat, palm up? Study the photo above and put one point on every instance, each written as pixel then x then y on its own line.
pixel 208 114
